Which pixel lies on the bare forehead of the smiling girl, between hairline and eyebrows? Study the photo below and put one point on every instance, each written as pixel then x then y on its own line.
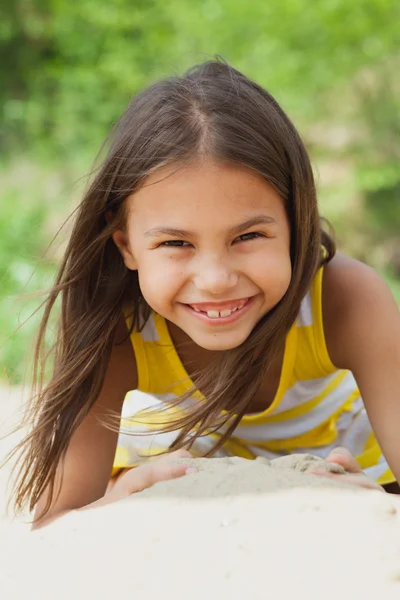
pixel 204 187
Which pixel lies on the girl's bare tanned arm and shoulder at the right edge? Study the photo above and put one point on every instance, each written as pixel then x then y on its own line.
pixel 362 330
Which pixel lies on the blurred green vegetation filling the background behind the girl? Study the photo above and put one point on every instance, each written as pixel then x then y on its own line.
pixel 69 69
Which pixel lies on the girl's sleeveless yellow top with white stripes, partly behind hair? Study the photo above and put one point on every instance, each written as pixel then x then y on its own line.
pixel 316 408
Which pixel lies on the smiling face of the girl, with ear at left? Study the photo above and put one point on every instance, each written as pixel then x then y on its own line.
pixel 211 246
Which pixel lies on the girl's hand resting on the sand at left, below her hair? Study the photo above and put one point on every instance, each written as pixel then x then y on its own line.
pixel 139 478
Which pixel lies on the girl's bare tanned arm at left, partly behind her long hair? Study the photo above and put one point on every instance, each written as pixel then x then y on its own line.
pixel 89 458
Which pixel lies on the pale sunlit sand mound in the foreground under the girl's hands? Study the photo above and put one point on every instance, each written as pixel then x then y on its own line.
pixel 236 529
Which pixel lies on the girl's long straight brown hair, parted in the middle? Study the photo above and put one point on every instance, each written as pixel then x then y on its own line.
pixel 215 110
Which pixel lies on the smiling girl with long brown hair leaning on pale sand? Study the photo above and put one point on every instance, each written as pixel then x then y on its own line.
pixel 198 273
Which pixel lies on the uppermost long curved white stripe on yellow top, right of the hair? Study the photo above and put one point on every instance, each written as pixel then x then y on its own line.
pixel 290 428
